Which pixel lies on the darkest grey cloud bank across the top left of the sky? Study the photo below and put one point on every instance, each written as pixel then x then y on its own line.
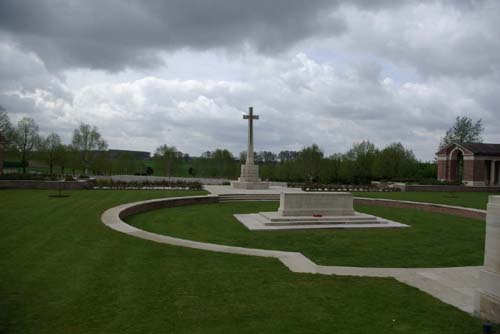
pixel 112 34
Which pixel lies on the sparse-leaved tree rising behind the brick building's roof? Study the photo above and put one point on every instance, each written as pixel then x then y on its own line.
pixel 463 131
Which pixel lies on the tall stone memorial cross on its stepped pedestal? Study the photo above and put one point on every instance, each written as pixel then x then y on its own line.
pixel 249 178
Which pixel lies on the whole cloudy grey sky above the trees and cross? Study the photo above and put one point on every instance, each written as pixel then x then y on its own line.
pixel 183 73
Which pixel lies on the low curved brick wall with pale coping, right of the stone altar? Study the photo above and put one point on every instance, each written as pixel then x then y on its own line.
pixel 438 208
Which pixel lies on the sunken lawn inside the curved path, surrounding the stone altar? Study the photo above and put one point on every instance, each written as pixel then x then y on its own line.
pixel 434 240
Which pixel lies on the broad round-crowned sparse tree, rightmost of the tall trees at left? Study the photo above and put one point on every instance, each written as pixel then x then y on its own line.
pixel 87 142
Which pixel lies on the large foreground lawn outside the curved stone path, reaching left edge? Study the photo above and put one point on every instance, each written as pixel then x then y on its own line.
pixel 63 271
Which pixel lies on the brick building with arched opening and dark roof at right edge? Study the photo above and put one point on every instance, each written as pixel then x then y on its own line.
pixel 474 164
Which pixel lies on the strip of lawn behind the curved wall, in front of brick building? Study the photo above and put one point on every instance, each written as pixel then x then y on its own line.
pixel 475 200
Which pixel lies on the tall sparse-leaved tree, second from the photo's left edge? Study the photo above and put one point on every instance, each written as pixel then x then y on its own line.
pixel 25 139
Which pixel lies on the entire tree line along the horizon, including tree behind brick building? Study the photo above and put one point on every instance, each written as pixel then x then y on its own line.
pixel 363 163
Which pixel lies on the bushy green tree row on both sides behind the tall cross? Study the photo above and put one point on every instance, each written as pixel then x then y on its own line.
pixel 363 163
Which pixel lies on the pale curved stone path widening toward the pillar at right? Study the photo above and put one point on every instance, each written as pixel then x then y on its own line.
pixel 455 286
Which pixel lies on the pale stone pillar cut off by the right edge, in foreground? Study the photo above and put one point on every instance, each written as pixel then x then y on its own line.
pixel 488 297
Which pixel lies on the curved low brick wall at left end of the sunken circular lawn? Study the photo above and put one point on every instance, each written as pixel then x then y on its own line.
pixel 167 203
